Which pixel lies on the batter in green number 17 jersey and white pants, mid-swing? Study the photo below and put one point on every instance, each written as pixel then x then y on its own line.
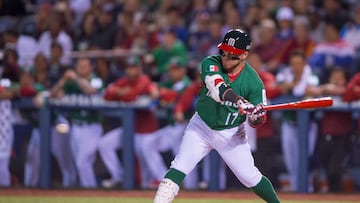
pixel 231 90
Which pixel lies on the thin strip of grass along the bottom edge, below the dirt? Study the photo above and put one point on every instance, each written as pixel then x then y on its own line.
pixel 32 199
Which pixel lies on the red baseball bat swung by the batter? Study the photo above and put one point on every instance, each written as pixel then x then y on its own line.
pixel 302 104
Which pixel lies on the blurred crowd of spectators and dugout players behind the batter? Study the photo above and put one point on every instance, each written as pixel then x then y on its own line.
pixel 122 49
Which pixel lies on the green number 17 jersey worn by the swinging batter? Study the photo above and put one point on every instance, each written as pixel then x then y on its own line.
pixel 224 115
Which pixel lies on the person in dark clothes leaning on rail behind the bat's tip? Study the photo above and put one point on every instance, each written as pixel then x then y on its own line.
pixel 335 130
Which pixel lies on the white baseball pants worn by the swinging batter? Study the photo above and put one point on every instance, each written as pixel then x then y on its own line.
pixel 231 144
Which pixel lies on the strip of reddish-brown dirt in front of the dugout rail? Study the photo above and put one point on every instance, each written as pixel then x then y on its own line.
pixel 182 194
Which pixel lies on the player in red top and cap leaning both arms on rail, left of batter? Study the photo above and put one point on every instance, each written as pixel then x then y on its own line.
pixel 128 89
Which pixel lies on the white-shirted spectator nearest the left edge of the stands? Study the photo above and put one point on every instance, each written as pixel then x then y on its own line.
pixel 25 46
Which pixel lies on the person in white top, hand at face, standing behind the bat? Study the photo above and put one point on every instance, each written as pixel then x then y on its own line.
pixel 295 80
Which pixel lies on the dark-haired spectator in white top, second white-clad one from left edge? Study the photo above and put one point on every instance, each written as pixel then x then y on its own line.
pixel 56 33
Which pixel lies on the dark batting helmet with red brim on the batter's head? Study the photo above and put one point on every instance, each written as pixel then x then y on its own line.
pixel 235 41
